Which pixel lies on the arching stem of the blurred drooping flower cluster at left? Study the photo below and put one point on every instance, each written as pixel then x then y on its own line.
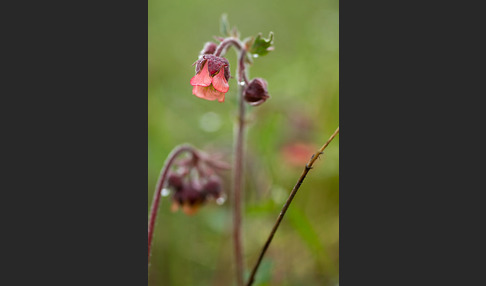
pixel 160 183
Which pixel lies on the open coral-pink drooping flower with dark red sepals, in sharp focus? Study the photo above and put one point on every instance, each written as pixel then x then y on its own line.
pixel 211 79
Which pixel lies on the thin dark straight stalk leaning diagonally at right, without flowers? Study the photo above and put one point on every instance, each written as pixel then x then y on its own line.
pixel 308 166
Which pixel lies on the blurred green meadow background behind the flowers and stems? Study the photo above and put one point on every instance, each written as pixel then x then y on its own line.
pixel 303 111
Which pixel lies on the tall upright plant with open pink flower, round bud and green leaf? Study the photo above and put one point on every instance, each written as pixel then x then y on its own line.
pixel 211 83
